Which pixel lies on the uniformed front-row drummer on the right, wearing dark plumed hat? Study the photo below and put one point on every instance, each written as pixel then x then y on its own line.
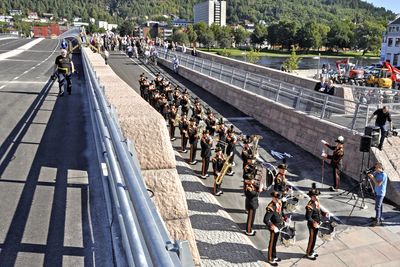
pixel 313 217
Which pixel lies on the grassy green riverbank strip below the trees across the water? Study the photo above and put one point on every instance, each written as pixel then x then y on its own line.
pixel 234 52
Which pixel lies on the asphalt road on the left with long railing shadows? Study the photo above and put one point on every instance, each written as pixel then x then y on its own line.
pixel 52 209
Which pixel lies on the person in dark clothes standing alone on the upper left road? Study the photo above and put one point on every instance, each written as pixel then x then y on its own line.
pixel 64 68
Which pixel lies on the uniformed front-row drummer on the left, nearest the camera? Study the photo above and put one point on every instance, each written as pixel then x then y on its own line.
pixel 274 221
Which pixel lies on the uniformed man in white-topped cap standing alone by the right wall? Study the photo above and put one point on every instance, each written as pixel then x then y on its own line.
pixel 336 160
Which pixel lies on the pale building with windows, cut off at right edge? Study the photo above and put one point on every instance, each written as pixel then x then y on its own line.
pixel 390 49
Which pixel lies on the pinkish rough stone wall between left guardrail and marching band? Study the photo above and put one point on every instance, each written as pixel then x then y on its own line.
pixel 148 129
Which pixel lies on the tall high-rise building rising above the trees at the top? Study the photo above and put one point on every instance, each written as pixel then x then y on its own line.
pixel 211 11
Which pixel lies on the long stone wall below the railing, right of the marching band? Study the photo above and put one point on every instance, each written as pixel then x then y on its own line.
pixel 298 127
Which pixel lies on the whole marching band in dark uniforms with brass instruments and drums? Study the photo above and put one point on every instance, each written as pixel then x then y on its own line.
pixel 196 123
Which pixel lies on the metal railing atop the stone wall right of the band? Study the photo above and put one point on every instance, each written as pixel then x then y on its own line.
pixel 350 114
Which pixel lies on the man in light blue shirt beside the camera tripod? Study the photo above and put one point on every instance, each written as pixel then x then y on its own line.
pixel 379 177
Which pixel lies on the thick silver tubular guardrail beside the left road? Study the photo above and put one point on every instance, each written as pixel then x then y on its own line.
pixel 144 235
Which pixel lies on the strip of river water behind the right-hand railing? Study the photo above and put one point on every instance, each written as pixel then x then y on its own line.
pixel 307 62
